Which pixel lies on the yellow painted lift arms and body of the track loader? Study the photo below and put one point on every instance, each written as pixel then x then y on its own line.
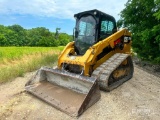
pixel 90 57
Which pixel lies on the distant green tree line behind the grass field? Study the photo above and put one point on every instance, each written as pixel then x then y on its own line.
pixel 16 35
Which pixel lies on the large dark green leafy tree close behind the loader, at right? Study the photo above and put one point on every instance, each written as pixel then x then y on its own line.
pixel 142 18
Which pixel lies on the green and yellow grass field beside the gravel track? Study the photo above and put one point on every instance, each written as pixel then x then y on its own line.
pixel 15 61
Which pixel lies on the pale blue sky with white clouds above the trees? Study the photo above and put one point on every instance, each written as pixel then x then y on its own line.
pixel 53 13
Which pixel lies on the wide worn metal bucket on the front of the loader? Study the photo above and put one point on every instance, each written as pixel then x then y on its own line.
pixel 68 92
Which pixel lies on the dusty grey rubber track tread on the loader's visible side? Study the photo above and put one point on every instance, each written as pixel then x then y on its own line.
pixel 103 72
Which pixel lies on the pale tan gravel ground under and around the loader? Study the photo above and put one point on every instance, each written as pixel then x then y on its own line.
pixel 137 99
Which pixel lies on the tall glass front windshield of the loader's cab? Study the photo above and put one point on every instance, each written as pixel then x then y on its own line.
pixel 86 33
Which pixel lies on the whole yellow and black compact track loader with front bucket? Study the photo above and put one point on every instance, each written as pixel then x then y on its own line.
pixel 98 58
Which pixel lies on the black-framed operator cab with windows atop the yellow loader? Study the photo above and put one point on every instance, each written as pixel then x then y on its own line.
pixel 91 27
